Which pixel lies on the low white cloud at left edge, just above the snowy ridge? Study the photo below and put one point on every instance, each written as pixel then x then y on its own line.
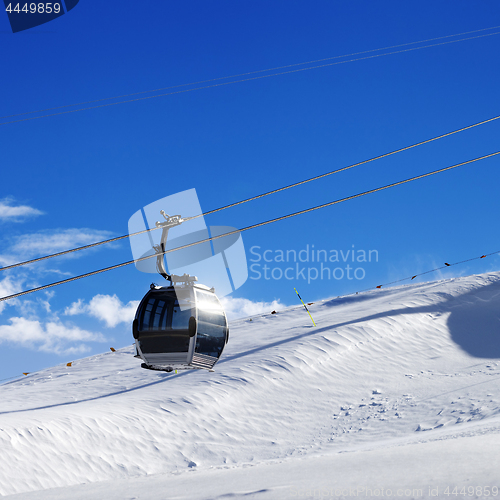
pixel 53 336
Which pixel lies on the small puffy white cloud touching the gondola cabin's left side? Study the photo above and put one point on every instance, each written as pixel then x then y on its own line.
pixel 107 308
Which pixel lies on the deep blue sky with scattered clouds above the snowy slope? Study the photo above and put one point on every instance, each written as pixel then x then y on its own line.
pixel 75 178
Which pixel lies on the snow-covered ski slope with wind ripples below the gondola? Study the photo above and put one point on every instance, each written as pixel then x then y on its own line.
pixel 395 393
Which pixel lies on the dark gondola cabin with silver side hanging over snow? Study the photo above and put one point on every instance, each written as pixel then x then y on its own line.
pixel 181 327
